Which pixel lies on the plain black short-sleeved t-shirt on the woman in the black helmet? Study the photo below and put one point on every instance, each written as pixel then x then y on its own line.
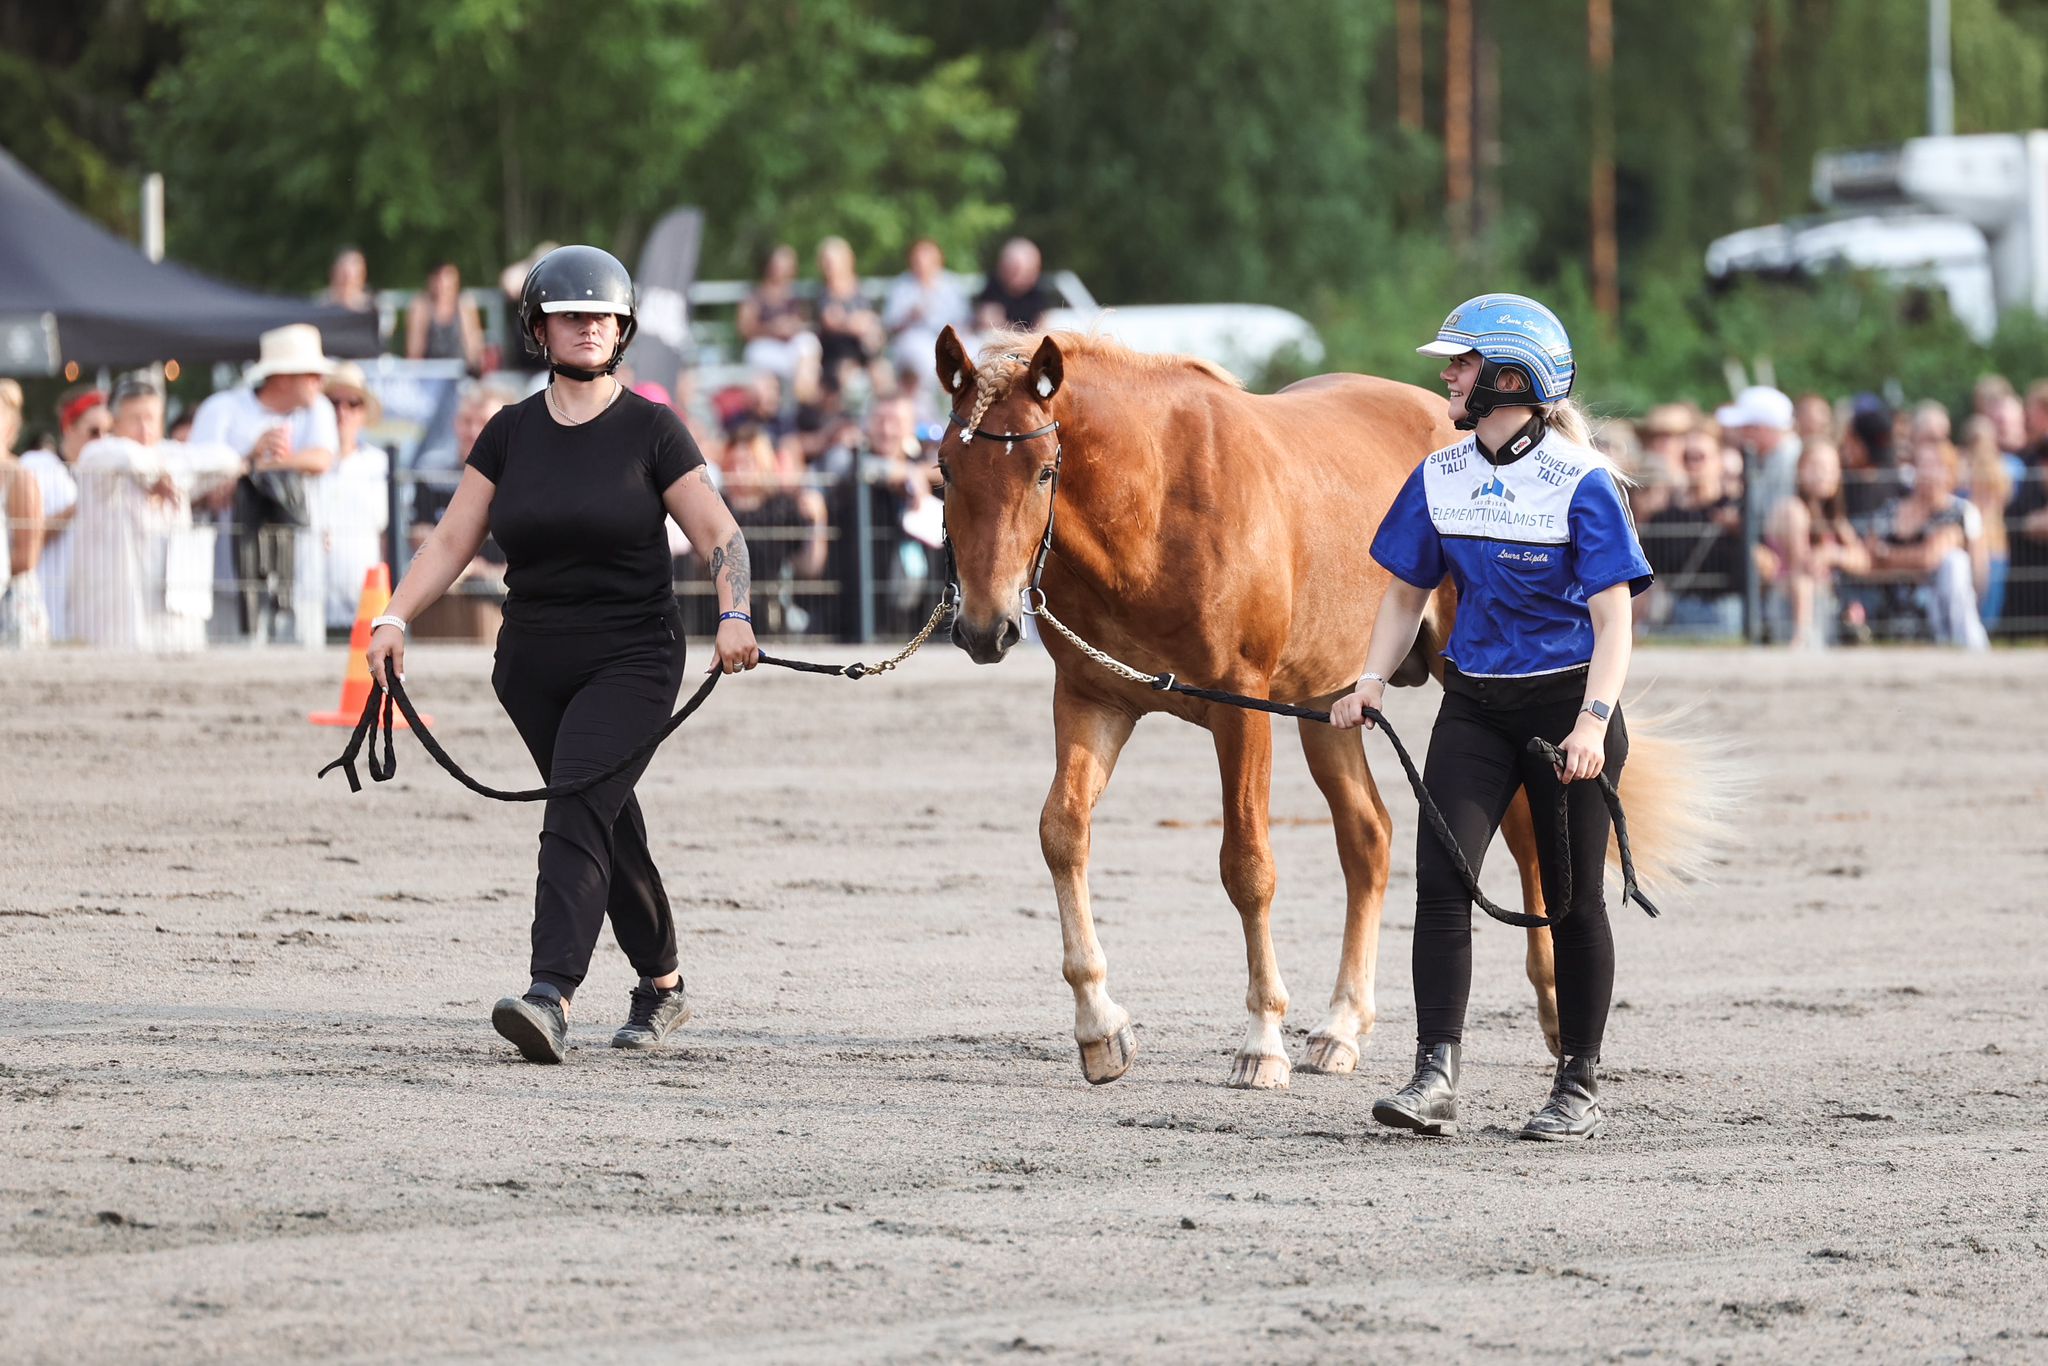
pixel 579 511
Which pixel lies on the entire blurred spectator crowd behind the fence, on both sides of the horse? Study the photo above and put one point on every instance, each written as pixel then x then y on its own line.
pixel 1809 523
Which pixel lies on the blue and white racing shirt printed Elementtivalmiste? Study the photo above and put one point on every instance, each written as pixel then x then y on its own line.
pixel 1527 546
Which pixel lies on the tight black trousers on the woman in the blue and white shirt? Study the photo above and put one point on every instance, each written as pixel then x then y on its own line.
pixel 1478 761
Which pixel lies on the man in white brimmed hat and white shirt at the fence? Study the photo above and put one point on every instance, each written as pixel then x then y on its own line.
pixel 284 427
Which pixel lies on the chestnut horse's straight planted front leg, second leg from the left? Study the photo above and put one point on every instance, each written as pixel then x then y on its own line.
pixel 1246 757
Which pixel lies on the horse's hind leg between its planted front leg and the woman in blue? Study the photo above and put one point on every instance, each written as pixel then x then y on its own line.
pixel 1365 837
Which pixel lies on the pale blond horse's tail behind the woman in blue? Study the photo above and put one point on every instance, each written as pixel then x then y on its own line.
pixel 1680 789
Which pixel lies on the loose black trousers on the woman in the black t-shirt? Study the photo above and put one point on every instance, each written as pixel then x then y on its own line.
pixel 583 701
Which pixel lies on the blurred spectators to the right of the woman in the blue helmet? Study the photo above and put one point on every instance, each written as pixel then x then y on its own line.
pixel 1820 521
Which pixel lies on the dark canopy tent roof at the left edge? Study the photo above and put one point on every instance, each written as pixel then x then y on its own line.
pixel 75 292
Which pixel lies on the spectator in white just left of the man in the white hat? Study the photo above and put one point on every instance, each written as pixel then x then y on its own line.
pixel 144 574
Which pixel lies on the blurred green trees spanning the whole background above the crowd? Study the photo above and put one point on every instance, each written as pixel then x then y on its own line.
pixel 1185 151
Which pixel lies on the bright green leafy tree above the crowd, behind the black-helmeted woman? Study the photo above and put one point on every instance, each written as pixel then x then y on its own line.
pixel 472 130
